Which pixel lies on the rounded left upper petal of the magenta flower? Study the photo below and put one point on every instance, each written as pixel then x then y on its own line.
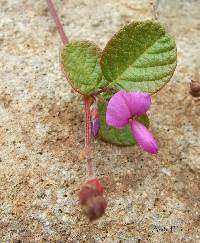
pixel 118 113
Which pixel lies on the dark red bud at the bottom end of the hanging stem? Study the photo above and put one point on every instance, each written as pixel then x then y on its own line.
pixel 92 200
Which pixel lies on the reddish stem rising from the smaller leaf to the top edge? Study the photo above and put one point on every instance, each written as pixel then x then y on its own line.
pixel 57 21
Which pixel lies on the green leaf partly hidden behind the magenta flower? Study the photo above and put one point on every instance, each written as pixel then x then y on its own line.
pixel 122 137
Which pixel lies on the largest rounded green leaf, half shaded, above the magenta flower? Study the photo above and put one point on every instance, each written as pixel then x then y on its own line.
pixel 140 57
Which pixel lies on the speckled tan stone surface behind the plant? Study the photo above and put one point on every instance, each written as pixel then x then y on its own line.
pixel 42 132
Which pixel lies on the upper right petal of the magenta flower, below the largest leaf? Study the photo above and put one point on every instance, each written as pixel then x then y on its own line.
pixel 138 102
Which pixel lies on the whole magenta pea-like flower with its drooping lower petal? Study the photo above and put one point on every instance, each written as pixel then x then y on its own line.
pixel 124 108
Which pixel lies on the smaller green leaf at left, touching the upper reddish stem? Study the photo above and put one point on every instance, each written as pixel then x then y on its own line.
pixel 80 61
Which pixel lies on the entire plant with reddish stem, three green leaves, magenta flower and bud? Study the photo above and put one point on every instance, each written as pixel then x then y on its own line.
pixel 117 81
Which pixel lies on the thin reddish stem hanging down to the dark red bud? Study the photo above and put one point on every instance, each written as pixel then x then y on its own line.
pixel 87 103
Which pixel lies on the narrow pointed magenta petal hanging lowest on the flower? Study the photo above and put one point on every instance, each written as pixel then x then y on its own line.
pixel 143 137
